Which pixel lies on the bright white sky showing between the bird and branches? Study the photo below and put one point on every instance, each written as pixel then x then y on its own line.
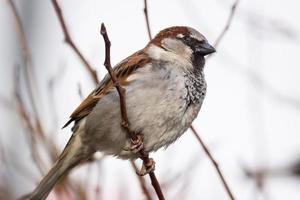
pixel 251 113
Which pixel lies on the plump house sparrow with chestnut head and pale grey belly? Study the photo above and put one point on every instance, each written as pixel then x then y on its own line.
pixel 165 88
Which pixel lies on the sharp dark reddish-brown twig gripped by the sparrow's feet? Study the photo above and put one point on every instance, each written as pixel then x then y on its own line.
pixel 125 123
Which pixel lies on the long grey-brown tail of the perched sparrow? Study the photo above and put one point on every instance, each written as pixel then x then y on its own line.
pixel 72 155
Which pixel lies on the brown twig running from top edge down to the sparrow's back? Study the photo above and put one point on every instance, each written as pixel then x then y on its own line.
pixel 70 42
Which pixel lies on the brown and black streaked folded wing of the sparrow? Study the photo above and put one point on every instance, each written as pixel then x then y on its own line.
pixel 123 70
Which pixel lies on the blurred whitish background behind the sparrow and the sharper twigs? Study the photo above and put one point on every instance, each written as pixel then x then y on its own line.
pixel 250 119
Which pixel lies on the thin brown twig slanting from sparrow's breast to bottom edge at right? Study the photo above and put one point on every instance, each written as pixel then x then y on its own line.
pixel 214 162
